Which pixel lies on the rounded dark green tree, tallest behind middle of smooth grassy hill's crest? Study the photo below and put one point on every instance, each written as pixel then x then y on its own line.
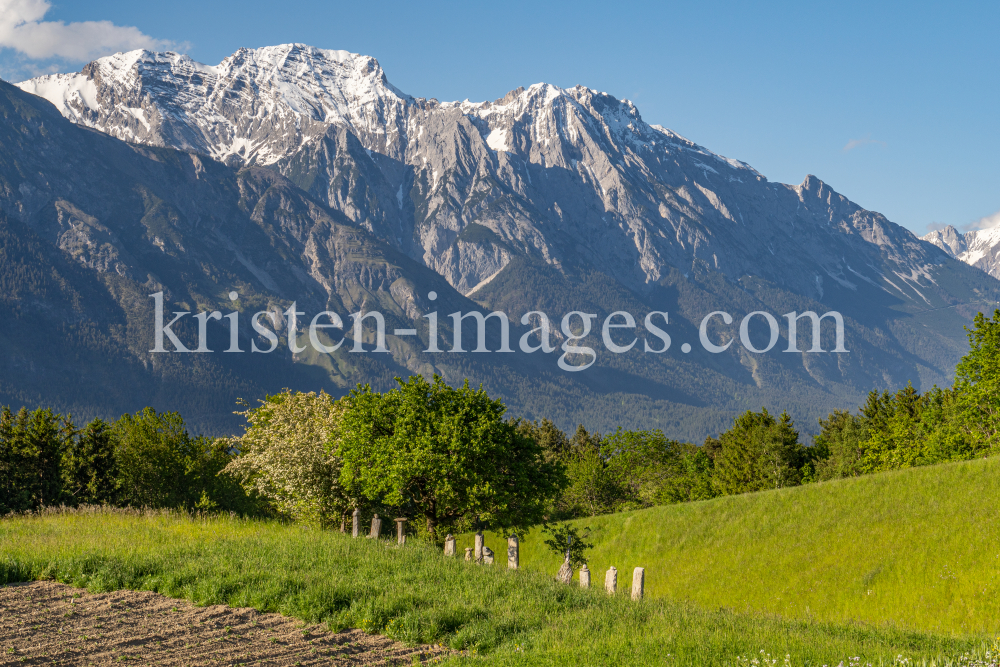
pixel 759 452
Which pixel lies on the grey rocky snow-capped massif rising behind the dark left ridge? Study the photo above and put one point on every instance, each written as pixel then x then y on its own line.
pixel 568 176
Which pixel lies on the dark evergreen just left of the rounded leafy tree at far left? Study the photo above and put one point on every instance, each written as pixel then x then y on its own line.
pixel 89 469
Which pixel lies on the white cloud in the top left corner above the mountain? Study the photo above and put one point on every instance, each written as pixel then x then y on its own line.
pixel 22 29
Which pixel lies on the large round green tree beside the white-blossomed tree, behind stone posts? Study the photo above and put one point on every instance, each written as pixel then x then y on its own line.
pixel 446 452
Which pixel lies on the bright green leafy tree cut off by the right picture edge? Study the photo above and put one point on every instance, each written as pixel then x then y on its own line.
pixel 977 383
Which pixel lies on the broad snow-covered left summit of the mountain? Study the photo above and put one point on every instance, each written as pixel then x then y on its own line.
pixel 254 108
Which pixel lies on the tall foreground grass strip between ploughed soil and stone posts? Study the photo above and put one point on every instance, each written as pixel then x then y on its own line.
pixel 414 594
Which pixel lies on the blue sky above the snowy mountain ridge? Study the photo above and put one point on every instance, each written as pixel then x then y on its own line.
pixel 895 105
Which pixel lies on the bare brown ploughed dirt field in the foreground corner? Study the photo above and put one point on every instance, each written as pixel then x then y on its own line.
pixel 53 624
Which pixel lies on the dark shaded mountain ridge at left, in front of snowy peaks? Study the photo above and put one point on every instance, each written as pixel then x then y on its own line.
pixel 91 226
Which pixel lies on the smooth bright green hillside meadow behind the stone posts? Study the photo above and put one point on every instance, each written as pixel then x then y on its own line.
pixel 917 548
